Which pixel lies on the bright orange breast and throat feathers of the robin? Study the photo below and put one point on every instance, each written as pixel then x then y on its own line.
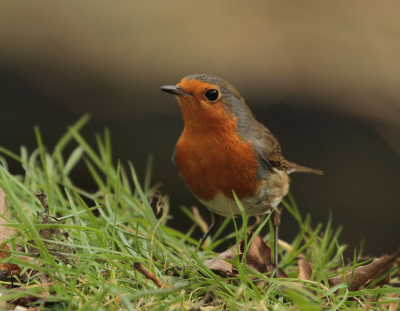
pixel 213 158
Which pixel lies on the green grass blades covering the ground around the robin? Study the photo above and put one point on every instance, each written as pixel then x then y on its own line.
pixel 117 226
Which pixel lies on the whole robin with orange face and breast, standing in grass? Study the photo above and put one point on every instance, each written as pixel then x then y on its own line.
pixel 224 149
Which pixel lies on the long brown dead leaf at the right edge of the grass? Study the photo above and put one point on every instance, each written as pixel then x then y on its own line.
pixel 365 275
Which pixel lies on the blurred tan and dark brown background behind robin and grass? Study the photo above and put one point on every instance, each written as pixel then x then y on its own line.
pixel 322 76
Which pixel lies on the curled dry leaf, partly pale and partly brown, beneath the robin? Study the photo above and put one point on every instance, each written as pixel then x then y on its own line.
pixel 258 257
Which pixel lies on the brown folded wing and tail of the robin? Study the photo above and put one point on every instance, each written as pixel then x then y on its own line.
pixel 271 152
